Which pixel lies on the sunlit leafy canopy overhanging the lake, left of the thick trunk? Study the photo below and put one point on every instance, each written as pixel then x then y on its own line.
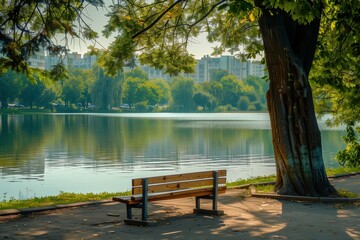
pixel 161 30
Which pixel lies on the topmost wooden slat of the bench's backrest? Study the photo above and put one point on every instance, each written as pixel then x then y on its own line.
pixel 179 177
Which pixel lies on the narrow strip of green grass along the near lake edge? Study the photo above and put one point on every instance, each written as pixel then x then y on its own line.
pixel 64 197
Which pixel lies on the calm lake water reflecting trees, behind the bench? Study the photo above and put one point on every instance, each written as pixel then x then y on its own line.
pixel 44 154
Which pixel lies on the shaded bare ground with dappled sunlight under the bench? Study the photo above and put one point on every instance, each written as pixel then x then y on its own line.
pixel 245 218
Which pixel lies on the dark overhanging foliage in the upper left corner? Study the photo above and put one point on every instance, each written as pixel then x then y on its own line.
pixel 30 26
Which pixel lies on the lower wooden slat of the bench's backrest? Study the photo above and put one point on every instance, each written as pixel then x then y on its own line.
pixel 164 187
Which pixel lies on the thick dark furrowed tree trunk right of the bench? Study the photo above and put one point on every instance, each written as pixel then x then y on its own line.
pixel 289 52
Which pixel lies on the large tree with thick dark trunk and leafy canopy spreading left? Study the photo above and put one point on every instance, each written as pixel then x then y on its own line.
pixel 287 31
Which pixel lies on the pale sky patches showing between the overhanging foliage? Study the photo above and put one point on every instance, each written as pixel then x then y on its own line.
pixel 97 20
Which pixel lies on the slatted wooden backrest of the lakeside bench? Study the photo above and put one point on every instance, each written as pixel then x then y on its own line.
pixel 179 182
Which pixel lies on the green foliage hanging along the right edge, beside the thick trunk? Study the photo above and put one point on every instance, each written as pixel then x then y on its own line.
pixel 336 74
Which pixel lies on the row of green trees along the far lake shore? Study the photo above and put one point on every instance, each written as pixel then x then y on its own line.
pixel 93 90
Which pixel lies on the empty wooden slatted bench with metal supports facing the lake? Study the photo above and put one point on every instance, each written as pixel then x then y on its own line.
pixel 206 185
